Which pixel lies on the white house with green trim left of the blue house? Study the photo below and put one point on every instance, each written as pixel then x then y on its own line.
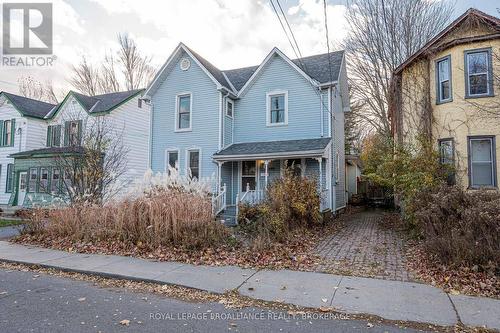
pixel 34 176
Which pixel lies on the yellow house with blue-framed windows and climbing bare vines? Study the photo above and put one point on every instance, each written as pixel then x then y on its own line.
pixel 448 91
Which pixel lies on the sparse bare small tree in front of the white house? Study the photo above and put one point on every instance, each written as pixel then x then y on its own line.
pixel 93 164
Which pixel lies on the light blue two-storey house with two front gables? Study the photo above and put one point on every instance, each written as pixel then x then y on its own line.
pixel 243 126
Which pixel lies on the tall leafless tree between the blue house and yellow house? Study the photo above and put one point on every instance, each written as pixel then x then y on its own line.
pixel 382 35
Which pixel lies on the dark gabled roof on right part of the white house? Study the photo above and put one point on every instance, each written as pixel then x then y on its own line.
pixel 98 103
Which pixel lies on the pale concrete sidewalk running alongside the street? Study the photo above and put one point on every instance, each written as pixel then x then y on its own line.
pixel 392 300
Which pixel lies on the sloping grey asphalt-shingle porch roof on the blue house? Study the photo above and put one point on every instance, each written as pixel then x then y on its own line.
pixel 274 147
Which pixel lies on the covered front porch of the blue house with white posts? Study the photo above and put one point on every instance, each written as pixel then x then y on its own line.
pixel 246 170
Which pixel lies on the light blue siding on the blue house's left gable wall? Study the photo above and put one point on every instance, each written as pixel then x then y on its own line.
pixel 204 118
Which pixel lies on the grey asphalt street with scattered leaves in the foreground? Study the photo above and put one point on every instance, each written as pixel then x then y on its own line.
pixel 36 302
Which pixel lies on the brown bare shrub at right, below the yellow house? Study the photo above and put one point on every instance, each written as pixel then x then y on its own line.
pixel 461 228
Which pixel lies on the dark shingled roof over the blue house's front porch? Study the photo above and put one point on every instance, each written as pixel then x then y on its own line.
pixel 273 149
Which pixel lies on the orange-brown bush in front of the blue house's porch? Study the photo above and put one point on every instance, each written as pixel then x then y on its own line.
pixel 291 203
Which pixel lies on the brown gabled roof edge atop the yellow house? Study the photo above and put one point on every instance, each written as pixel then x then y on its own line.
pixel 471 12
